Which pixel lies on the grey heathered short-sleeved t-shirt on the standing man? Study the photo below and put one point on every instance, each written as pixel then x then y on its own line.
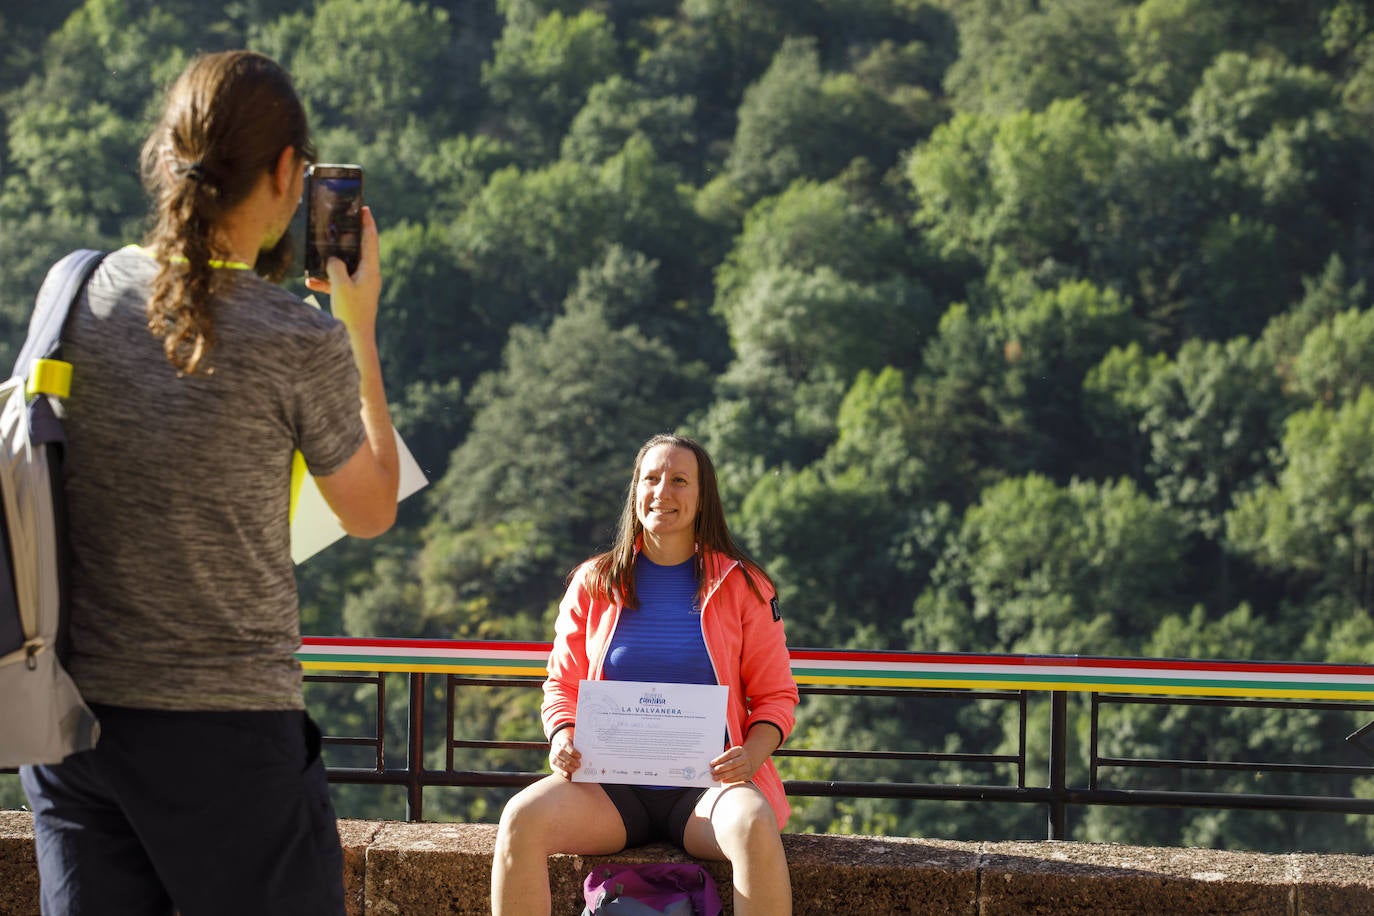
pixel 183 593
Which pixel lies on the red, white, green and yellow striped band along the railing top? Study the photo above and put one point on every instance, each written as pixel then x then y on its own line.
pixel 1191 678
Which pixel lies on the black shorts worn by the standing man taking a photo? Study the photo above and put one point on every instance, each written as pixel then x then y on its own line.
pixel 207 812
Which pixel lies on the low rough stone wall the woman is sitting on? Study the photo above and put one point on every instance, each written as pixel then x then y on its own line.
pixel 416 870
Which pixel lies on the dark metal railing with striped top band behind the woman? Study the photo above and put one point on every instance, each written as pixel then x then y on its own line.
pixel 1017 682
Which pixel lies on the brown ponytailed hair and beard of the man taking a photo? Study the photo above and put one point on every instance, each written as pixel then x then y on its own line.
pixel 226 122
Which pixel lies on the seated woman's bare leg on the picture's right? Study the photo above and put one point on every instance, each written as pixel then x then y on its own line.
pixel 736 825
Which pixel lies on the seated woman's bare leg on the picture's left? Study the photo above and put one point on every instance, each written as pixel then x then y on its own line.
pixel 550 816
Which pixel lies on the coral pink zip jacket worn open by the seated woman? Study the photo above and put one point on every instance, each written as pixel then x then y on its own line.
pixel 744 638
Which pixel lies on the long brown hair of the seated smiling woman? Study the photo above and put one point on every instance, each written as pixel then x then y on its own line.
pixel 613 572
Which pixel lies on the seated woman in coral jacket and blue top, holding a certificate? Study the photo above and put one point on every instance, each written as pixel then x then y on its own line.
pixel 674 602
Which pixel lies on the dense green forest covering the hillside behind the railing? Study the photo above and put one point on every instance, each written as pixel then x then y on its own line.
pixel 1015 326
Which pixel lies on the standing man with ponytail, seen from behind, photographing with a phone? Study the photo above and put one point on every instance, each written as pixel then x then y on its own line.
pixel 196 380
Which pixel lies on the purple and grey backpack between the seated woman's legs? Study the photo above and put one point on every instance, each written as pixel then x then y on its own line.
pixel 660 889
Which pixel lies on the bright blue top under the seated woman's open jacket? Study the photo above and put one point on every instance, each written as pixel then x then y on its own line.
pixel 662 641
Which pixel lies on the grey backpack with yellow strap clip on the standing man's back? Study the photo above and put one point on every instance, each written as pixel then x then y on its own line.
pixel 43 718
